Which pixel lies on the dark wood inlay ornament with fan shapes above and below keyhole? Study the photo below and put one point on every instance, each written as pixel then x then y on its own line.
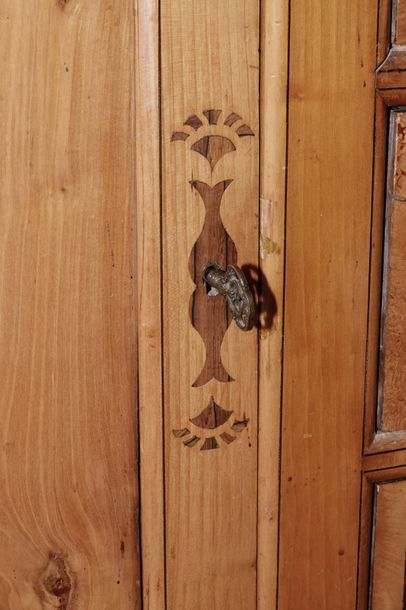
pixel 209 312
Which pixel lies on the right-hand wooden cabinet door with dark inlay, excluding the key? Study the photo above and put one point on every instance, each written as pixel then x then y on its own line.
pixel 256 456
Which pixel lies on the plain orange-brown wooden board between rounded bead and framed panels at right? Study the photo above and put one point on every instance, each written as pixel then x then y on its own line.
pixel 331 109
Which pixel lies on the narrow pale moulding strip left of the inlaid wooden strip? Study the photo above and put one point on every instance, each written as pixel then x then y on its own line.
pixel 148 200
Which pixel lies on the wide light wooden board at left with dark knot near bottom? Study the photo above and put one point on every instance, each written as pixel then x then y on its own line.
pixel 68 511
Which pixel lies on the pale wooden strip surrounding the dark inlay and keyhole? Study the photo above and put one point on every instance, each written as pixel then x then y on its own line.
pixel 209 60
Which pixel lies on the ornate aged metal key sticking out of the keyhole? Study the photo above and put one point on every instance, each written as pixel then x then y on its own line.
pixel 232 284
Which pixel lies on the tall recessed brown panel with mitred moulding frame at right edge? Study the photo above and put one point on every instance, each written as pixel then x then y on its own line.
pixel 384 412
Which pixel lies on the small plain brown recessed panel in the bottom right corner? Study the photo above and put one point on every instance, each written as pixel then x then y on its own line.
pixel 388 567
